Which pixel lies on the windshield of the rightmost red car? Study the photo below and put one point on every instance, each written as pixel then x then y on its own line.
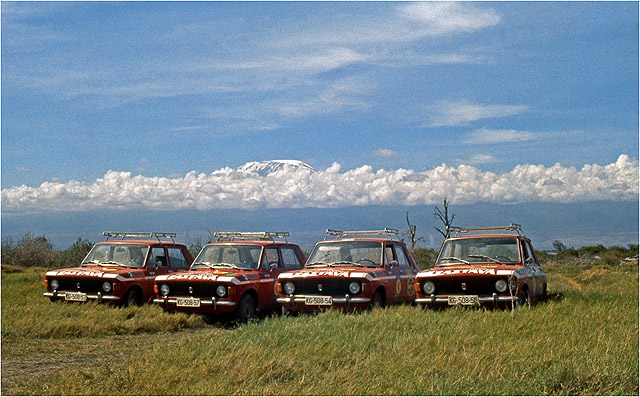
pixel 467 251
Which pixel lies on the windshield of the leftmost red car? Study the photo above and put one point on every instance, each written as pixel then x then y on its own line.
pixel 126 255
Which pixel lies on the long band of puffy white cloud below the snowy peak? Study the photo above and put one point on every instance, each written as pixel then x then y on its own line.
pixel 301 187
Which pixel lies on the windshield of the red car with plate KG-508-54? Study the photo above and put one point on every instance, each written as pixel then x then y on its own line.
pixel 359 253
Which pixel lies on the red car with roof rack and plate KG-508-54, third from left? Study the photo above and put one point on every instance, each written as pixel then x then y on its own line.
pixel 353 270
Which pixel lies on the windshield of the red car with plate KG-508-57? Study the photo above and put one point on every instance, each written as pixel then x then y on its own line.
pixel 238 256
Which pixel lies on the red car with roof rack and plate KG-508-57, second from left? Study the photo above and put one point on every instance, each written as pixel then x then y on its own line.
pixel 235 274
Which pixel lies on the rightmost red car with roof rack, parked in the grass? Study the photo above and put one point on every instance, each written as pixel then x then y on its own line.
pixel 476 268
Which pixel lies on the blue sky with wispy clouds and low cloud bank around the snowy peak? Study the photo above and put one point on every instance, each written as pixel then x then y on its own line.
pixel 156 105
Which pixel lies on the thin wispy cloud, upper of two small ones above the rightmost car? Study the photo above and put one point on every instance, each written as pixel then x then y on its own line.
pixel 446 113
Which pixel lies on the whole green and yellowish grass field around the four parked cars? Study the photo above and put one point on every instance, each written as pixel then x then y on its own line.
pixel 582 341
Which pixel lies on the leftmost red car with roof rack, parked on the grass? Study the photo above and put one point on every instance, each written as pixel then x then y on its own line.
pixel 120 271
